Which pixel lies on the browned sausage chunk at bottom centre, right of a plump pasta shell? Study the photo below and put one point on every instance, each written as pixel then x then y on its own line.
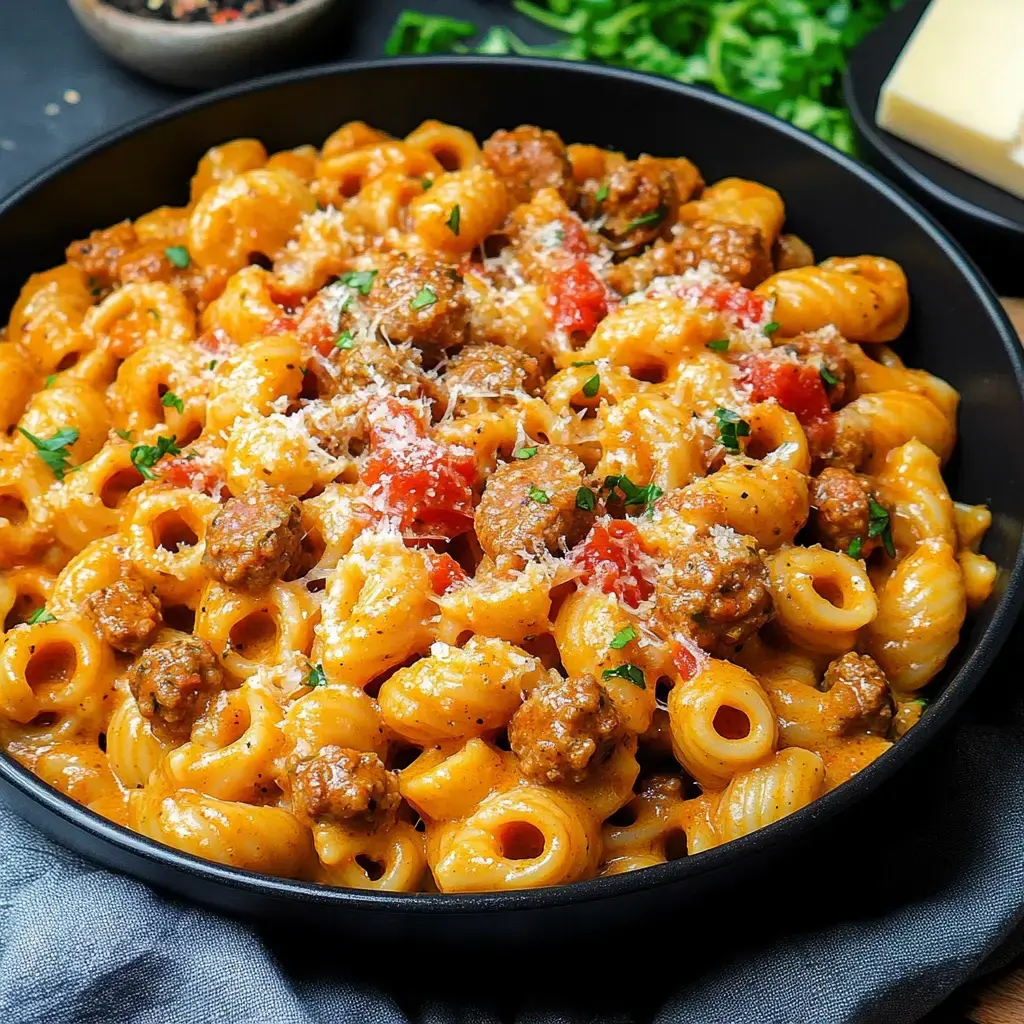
pixel 564 729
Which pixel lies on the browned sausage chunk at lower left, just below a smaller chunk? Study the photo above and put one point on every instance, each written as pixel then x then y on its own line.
pixel 170 680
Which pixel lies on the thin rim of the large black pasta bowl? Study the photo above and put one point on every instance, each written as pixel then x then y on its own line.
pixel 953 698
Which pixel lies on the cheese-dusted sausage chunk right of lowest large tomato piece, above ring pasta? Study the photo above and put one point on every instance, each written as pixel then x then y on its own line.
pixel 715 590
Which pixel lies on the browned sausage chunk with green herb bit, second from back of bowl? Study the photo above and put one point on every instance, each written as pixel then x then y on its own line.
pixel 639 203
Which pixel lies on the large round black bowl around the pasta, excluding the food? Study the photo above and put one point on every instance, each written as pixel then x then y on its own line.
pixel 958 330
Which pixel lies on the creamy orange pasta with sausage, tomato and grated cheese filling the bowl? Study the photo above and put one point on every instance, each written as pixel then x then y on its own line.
pixel 451 515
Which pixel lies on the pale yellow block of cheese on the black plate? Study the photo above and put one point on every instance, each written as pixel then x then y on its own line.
pixel 958 89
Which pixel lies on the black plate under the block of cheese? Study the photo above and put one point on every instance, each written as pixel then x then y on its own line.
pixel 987 221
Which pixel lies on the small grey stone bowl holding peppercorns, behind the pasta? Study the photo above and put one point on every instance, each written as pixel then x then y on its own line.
pixel 200 56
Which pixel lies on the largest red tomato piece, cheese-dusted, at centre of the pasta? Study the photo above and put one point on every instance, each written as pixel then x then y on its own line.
pixel 428 486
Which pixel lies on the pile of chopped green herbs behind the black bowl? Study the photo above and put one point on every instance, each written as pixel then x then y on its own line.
pixel 786 57
